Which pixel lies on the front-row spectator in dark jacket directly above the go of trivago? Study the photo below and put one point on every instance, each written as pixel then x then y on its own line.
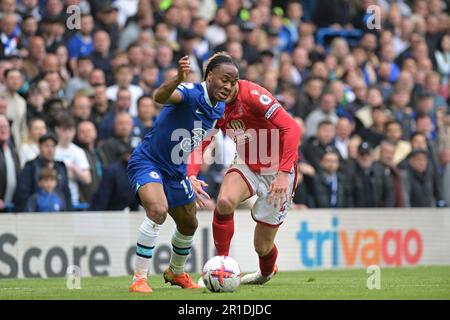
pixel 421 187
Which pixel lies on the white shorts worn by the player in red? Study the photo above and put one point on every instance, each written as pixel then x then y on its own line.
pixel 263 212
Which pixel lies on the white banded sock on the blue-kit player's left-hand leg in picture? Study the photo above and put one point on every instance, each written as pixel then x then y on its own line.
pixel 147 236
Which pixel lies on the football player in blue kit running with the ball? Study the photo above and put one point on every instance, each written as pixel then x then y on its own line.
pixel 157 169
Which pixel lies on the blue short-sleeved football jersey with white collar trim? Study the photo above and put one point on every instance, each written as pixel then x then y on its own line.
pixel 179 128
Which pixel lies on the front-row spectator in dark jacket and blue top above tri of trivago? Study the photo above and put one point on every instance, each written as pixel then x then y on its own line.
pixel 330 186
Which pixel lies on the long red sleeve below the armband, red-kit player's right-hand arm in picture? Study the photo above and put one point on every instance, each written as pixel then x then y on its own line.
pixel 290 134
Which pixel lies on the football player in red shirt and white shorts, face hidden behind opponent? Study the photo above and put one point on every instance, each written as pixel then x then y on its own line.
pixel 267 140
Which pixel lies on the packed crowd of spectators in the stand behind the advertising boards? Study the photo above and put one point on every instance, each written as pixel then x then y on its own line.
pixel 370 89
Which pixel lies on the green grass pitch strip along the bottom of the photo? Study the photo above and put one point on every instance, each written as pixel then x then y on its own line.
pixel 396 283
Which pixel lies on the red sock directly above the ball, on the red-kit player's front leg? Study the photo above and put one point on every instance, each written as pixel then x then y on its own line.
pixel 223 230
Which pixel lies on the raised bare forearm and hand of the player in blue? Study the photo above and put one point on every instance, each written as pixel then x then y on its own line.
pixel 166 93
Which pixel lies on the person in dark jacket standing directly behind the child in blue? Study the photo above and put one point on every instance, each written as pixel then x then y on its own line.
pixel 28 178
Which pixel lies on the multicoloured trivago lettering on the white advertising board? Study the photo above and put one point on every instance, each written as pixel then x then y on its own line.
pixel 391 247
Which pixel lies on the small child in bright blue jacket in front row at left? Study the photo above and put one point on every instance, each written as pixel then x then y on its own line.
pixel 47 198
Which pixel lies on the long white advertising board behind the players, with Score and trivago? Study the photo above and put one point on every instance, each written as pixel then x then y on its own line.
pixel 102 243
